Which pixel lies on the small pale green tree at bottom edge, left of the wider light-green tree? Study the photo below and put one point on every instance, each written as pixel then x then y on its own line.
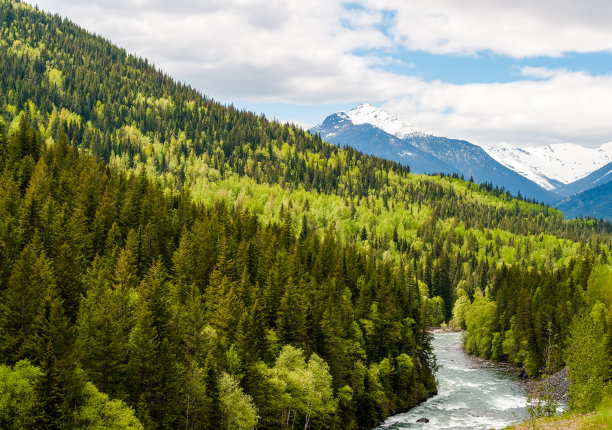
pixel 237 408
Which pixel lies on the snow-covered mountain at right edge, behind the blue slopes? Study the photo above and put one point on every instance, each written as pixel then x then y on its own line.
pixel 562 162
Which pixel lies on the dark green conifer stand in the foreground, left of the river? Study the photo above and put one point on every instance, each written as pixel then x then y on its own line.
pixel 173 307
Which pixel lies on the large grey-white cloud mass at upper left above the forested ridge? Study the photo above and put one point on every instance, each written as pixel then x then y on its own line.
pixel 254 50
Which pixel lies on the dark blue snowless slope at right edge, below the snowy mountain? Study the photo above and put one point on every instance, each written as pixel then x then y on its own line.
pixel 594 202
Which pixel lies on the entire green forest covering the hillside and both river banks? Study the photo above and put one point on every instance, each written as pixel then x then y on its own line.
pixel 170 262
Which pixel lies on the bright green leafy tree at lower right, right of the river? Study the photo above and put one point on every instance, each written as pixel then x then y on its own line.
pixel 588 362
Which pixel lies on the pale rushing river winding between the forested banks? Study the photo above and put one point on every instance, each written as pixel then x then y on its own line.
pixel 469 396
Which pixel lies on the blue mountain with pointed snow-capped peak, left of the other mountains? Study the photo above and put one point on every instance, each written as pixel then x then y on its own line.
pixel 374 131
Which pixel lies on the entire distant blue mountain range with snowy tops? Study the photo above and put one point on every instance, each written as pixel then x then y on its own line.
pixel 558 174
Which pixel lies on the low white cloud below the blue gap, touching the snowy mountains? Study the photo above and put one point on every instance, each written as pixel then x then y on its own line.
pixel 567 107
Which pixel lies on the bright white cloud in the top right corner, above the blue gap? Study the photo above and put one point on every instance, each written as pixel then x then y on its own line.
pixel 519 28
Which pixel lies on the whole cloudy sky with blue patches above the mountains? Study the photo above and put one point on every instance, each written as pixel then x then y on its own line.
pixel 524 72
